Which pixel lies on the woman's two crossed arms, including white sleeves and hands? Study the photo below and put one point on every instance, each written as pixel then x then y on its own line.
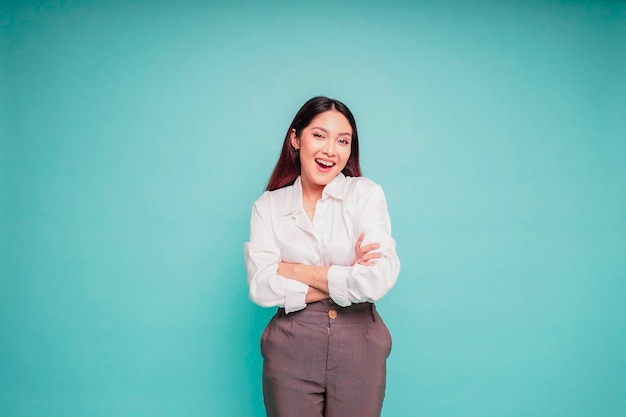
pixel 290 285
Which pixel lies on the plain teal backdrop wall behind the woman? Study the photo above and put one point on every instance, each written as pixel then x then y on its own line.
pixel 136 136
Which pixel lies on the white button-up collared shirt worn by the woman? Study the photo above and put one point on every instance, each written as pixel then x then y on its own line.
pixel 280 230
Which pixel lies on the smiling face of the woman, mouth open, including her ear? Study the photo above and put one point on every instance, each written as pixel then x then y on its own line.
pixel 324 146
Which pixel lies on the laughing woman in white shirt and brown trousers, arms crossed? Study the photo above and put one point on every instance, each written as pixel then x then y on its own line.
pixel 321 250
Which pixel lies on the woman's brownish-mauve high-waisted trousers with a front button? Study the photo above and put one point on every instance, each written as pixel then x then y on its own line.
pixel 325 361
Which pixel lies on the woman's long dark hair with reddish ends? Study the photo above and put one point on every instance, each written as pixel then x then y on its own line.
pixel 288 167
